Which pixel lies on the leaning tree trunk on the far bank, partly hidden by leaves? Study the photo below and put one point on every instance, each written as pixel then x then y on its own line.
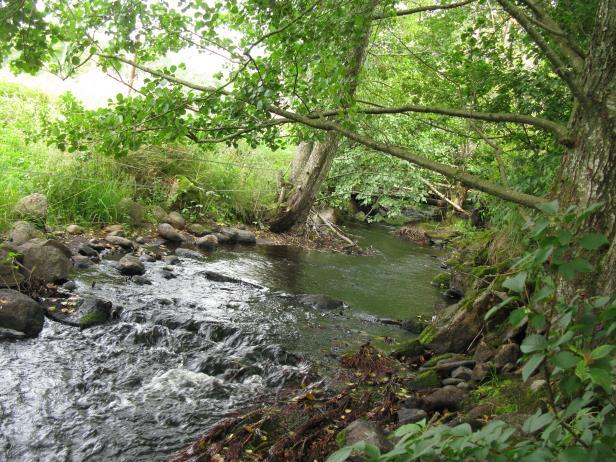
pixel 307 179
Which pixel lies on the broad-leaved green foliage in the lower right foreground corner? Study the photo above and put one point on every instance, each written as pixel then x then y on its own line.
pixel 570 343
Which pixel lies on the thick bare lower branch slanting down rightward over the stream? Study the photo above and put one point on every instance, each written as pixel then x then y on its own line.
pixel 463 177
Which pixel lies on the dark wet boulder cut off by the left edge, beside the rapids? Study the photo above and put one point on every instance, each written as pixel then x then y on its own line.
pixel 20 316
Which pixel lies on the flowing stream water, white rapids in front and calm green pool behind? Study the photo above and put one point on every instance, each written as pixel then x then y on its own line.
pixel 187 351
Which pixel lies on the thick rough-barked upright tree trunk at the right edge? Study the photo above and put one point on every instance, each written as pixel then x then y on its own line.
pixel 588 169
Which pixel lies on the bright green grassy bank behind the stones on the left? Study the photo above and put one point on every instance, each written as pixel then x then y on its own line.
pixel 222 184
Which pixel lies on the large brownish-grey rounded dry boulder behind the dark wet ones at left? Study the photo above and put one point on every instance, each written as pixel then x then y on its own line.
pixel 47 261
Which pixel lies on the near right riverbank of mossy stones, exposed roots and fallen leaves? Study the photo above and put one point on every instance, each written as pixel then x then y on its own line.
pixel 460 370
